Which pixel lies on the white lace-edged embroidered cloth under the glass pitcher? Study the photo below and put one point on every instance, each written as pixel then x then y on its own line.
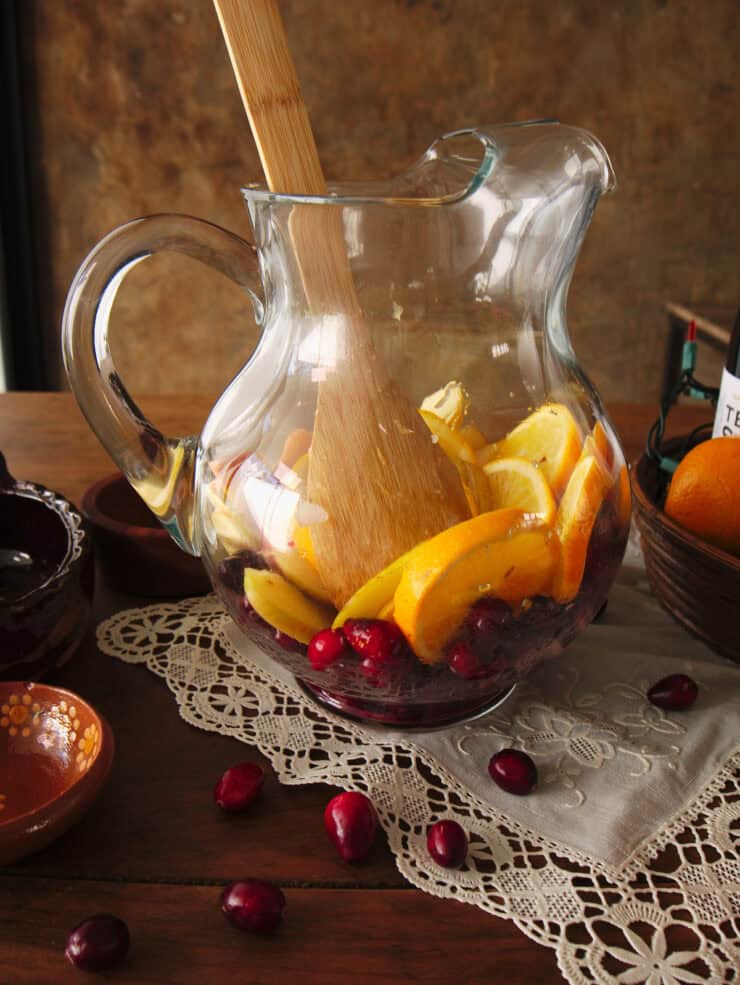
pixel 624 860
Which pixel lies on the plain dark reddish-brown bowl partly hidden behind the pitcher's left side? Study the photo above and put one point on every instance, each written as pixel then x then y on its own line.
pixel 137 555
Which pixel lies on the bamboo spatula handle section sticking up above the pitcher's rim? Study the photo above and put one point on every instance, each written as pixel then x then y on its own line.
pixel 271 94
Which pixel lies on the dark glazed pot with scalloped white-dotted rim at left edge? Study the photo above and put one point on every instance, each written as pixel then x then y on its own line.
pixel 46 578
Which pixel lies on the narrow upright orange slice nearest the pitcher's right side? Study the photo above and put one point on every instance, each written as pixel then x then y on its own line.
pixel 574 521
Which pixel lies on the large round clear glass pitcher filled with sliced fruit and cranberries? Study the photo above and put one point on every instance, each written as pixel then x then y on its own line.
pixel 413 504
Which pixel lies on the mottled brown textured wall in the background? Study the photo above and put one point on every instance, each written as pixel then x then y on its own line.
pixel 138 113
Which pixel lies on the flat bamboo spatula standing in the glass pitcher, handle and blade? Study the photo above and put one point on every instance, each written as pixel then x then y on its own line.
pixel 373 466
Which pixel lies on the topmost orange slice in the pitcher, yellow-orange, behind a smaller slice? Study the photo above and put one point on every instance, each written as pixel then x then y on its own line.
pixel 548 438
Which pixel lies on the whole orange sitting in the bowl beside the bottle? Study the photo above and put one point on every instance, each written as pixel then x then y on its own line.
pixel 704 494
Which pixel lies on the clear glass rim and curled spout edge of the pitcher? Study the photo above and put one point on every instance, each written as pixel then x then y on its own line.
pixel 258 194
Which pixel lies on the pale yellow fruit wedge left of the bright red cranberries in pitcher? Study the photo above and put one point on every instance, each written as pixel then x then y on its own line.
pixel 284 607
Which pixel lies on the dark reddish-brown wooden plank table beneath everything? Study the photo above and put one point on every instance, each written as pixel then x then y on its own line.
pixel 156 851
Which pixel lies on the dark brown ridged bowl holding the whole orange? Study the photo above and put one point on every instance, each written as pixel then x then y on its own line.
pixel 699 584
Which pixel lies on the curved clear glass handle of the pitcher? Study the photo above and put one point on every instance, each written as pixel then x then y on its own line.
pixel 161 469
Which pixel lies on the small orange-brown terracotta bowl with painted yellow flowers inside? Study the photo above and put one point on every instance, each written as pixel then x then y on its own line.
pixel 55 754
